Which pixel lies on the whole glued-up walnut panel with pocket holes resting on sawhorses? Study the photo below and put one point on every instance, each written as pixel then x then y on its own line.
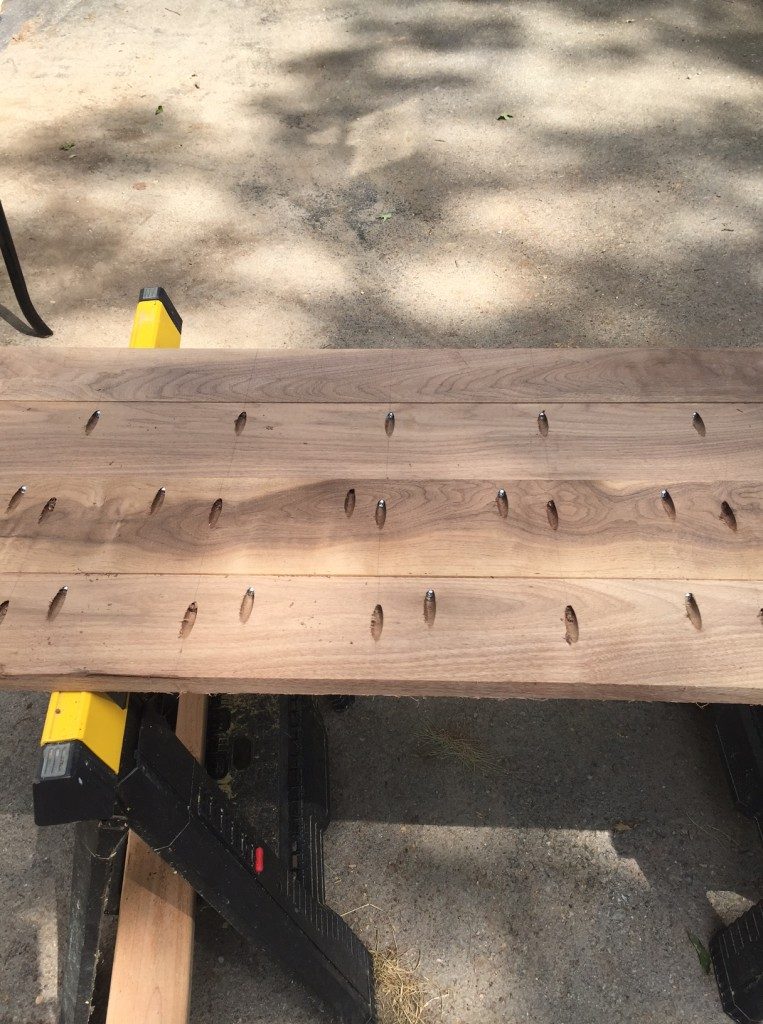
pixel 515 485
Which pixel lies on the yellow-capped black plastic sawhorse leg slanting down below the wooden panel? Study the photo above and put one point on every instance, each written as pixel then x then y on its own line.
pixel 101 760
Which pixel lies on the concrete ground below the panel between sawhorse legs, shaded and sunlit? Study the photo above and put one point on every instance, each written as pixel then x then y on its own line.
pixel 566 921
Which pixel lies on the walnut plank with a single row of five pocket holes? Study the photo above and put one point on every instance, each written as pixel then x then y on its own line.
pixel 585 442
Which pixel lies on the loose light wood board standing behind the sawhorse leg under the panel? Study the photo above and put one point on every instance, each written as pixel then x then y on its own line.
pixel 154 954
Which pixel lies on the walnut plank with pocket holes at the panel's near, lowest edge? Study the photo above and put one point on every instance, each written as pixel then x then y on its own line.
pixel 316 630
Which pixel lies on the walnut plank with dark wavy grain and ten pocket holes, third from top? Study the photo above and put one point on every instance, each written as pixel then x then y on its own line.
pixel 438 528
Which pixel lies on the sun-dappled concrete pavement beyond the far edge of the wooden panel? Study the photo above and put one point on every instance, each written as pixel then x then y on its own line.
pixel 338 176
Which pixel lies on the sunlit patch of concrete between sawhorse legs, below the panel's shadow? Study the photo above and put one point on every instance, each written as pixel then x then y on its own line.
pixel 514 899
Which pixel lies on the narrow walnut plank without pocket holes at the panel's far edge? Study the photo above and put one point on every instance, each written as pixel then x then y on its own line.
pixel 517 375
